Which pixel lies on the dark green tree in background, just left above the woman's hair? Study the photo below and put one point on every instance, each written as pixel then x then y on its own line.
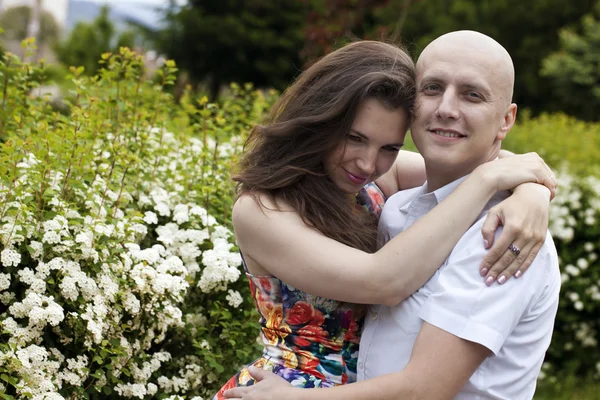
pixel 222 41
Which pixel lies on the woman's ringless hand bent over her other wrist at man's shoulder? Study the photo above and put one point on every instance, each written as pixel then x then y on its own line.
pixel 509 172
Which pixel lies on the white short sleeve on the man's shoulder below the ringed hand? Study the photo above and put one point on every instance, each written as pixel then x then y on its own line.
pixel 462 304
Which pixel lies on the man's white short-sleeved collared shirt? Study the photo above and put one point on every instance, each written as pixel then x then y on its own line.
pixel 514 320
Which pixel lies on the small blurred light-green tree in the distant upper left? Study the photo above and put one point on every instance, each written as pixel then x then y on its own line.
pixel 87 42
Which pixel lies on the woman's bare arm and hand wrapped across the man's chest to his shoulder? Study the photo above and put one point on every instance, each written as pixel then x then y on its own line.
pixel 284 246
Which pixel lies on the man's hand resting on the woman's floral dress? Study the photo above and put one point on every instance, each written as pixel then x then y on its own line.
pixel 268 387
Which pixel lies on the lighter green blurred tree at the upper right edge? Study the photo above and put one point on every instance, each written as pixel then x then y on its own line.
pixel 575 68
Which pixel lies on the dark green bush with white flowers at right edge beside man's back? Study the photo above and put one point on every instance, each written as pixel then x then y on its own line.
pixel 575 226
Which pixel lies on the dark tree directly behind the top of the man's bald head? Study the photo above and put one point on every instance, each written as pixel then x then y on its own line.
pixel 527 29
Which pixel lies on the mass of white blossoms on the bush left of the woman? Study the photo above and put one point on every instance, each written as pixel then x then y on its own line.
pixel 109 269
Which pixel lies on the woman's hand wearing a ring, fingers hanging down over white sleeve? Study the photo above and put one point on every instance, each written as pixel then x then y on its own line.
pixel 524 217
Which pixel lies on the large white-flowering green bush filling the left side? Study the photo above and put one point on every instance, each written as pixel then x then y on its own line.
pixel 118 276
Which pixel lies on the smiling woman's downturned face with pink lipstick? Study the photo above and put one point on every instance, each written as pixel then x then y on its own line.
pixel 370 148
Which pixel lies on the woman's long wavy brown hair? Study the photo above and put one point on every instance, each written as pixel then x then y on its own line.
pixel 284 157
